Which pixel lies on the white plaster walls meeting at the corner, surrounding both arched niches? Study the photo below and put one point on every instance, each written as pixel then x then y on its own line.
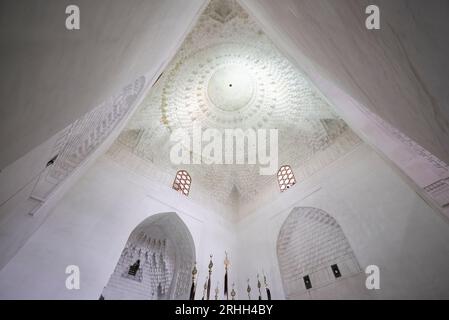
pixel 385 221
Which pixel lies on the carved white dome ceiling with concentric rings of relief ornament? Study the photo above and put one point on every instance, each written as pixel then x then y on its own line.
pixel 228 74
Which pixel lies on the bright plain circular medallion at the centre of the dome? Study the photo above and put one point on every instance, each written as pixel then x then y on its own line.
pixel 230 88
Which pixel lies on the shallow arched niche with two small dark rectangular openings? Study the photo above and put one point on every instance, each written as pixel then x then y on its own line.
pixel 313 253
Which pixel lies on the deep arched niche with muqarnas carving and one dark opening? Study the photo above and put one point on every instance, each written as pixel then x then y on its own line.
pixel 156 262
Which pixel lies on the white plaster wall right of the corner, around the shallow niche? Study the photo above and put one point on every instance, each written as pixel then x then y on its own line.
pixel 385 221
